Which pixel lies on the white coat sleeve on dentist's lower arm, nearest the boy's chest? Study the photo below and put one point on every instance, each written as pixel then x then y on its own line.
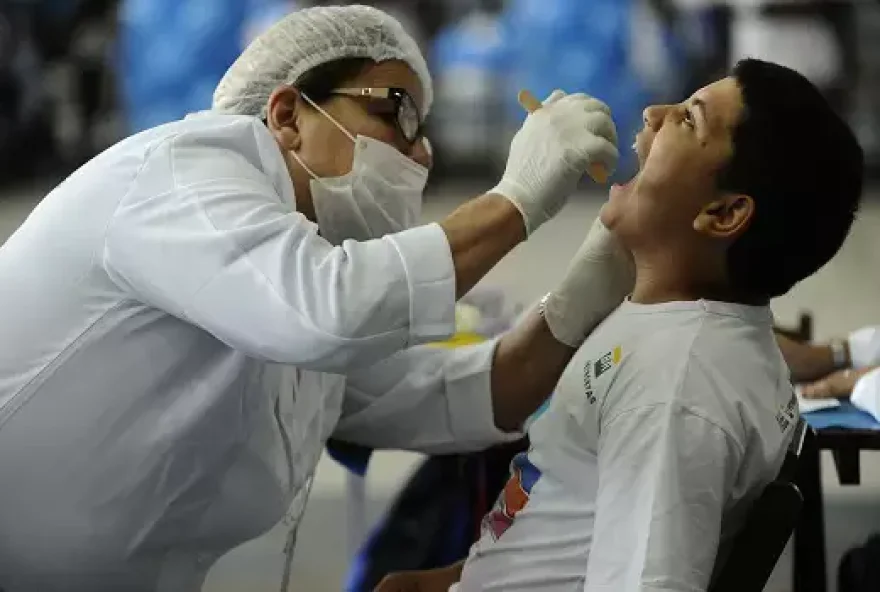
pixel 427 399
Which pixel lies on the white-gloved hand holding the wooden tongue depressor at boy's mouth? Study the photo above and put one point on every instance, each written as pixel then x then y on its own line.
pixel 551 152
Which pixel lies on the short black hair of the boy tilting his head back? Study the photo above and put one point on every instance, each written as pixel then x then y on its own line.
pixel 802 166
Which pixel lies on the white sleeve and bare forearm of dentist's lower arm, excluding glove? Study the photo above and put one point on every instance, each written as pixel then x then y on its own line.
pixel 437 400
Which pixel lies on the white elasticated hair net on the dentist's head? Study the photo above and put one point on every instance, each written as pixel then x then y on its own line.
pixel 309 38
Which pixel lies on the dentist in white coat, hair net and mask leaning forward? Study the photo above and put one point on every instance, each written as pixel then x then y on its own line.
pixel 189 317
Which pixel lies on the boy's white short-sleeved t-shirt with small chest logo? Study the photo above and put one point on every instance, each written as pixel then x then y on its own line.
pixel 664 428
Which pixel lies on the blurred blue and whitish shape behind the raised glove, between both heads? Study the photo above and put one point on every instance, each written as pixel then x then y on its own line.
pixel 482 63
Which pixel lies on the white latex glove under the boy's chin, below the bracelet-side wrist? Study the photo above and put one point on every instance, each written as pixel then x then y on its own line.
pixel 599 278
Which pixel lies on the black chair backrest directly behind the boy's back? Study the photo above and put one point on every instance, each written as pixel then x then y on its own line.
pixel 768 527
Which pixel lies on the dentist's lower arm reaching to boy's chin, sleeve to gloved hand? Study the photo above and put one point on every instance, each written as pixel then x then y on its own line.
pixel 439 400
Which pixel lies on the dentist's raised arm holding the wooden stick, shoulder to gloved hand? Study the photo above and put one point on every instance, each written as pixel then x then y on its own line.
pixel 204 235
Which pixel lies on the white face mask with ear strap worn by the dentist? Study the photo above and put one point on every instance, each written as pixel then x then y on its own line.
pixel 381 195
